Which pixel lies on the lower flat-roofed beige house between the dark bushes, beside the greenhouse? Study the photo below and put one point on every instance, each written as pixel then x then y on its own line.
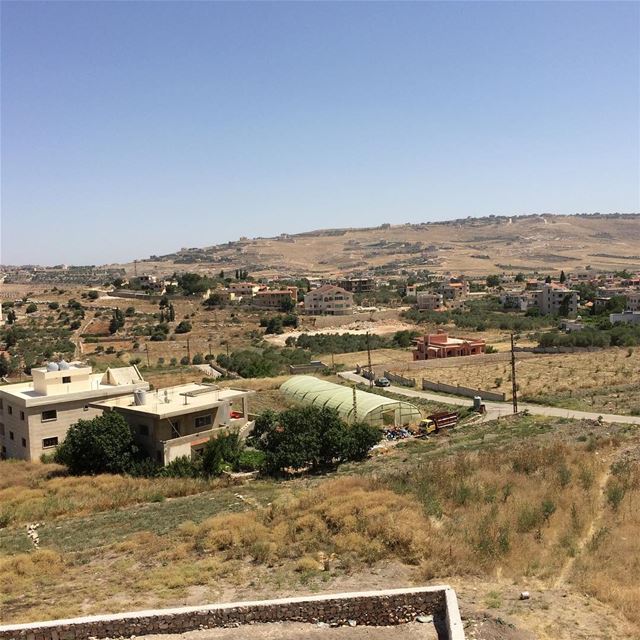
pixel 180 420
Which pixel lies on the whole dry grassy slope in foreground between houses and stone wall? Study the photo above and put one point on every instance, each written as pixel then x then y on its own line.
pixel 515 502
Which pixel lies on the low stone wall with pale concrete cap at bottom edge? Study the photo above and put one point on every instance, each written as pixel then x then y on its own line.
pixel 375 608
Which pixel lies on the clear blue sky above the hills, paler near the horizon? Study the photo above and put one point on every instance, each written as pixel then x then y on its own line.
pixel 137 128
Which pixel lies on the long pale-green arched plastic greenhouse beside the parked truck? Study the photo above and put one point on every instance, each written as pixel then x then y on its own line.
pixel 352 404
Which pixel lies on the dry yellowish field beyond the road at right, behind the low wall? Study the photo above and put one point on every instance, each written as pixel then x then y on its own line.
pixel 605 380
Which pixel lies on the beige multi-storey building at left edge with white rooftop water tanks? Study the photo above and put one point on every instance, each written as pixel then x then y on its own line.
pixel 35 415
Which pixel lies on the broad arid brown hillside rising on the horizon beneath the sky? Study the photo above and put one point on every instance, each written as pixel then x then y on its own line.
pixel 546 243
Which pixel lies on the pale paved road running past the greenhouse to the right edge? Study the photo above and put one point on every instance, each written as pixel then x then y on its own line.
pixel 496 409
